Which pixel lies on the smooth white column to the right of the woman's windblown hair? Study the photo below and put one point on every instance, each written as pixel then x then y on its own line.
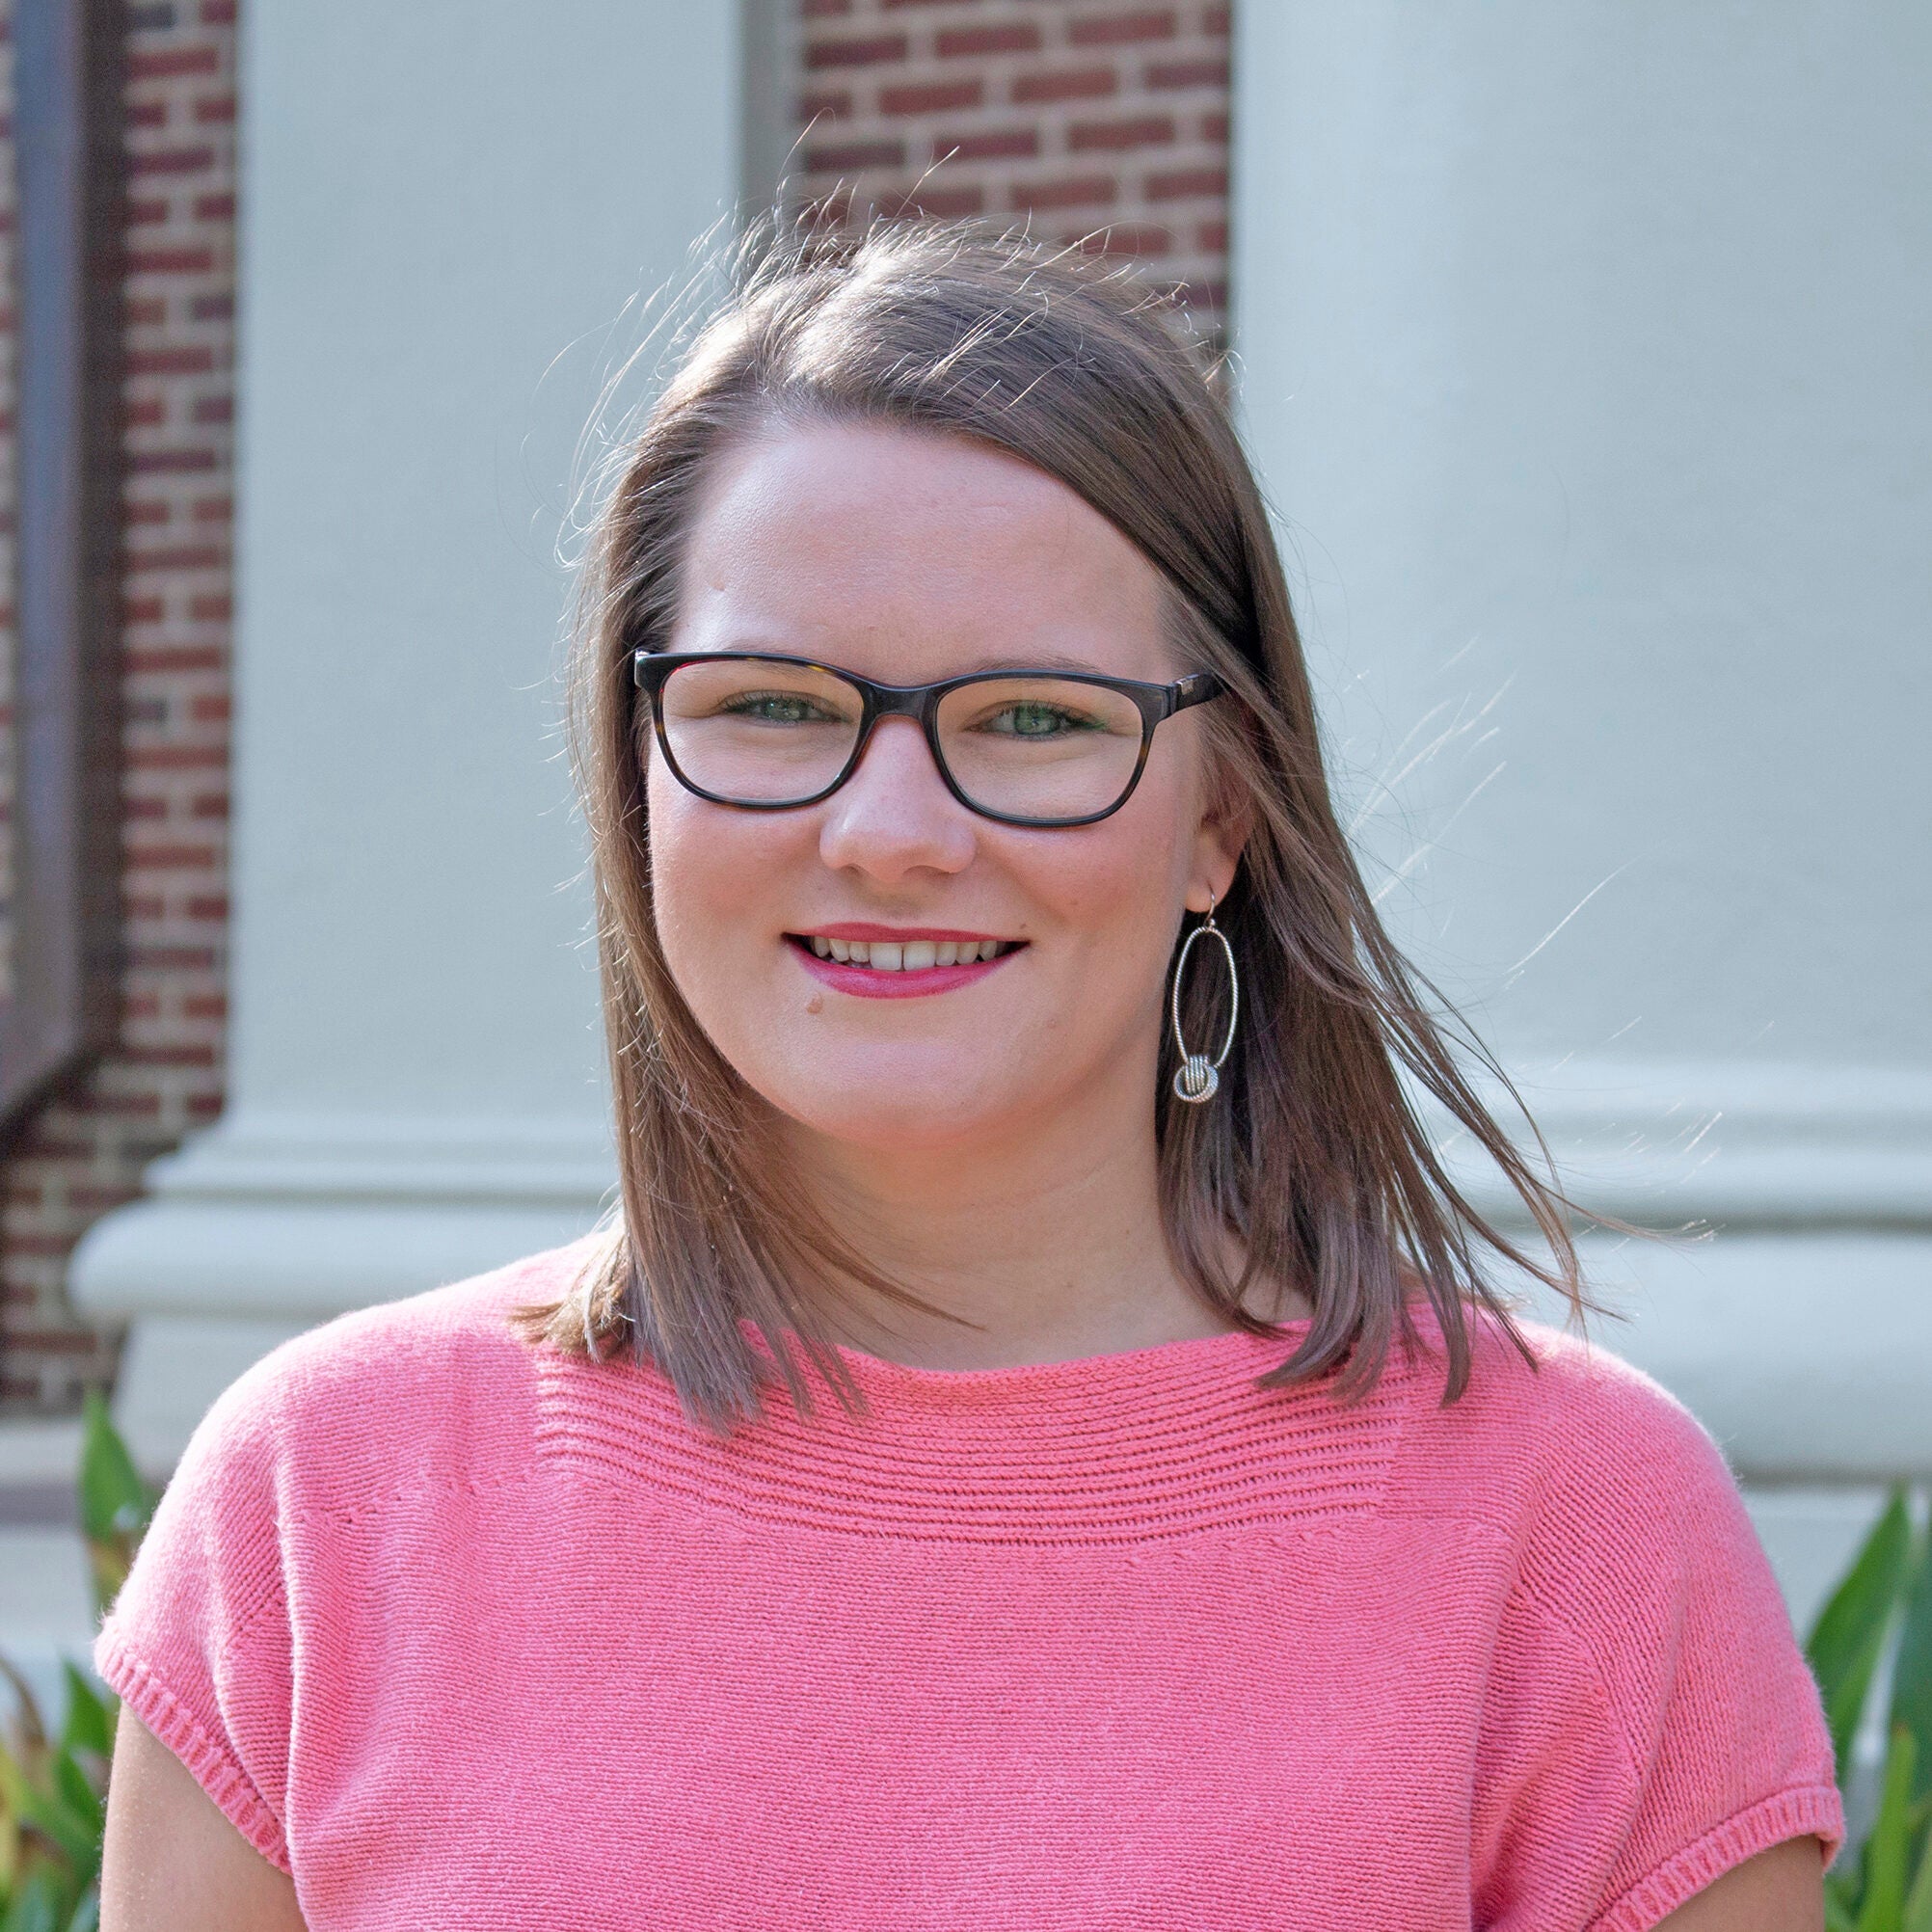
pixel 1583 351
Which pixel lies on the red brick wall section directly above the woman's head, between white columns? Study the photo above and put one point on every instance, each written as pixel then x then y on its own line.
pixel 1085 119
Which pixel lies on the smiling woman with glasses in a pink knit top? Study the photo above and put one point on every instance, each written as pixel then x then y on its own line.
pixel 1038 1446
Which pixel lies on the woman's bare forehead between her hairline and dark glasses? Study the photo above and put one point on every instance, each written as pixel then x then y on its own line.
pixel 911 555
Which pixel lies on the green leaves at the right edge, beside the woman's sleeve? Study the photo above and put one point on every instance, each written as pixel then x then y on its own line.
pixel 1883 1608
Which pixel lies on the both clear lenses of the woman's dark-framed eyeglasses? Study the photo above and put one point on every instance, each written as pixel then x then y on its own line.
pixel 760 731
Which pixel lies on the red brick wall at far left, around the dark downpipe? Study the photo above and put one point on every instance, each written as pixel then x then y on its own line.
pixel 84 1154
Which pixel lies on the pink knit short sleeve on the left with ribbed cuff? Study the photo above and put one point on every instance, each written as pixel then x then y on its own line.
pixel 198 1641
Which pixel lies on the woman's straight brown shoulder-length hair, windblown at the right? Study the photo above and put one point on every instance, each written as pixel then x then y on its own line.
pixel 1315 1156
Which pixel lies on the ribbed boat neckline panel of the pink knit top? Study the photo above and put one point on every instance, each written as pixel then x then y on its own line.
pixel 1158 1442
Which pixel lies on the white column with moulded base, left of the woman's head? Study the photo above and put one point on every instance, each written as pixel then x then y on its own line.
pixel 445 212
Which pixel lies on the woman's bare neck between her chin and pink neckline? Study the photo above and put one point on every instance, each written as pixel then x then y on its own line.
pixel 1050 1243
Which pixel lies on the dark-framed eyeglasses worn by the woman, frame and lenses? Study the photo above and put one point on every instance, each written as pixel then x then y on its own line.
pixel 1019 747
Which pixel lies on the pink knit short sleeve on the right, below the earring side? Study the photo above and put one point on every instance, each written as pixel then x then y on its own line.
pixel 1651 1719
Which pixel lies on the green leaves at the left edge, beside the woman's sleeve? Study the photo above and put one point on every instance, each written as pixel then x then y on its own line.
pixel 53 1790
